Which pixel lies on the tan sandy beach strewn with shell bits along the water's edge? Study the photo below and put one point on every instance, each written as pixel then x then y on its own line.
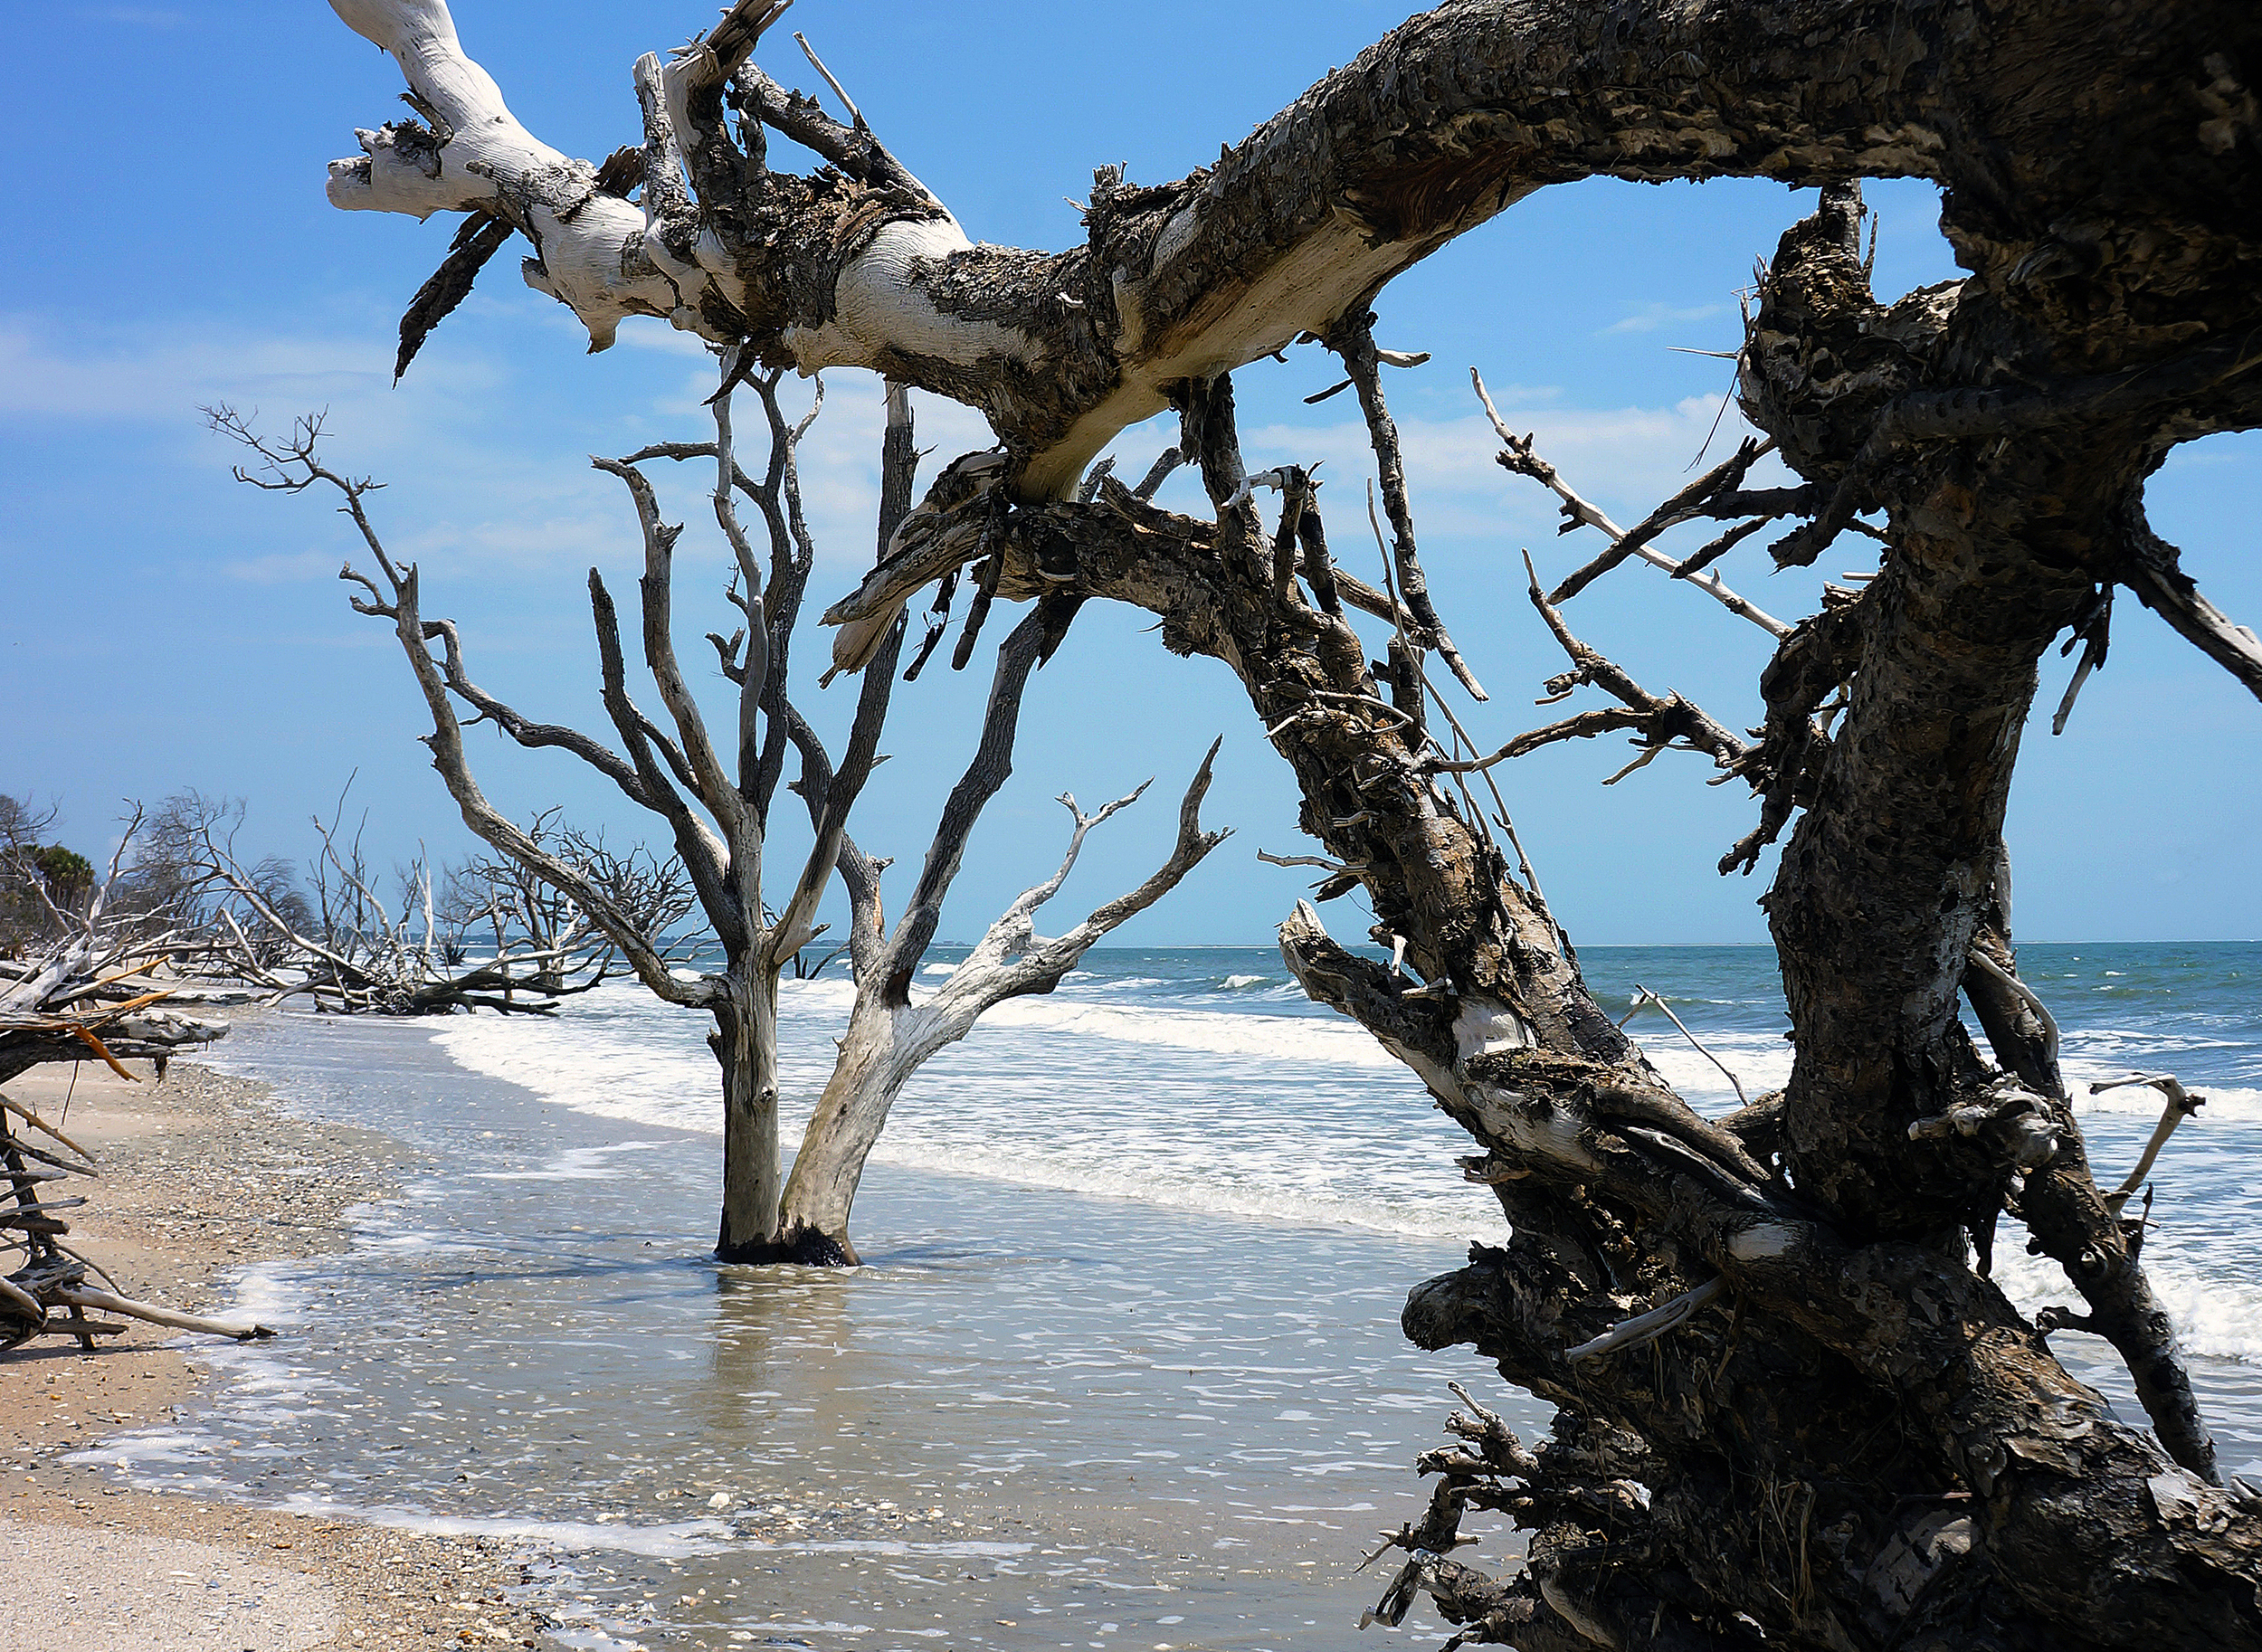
pixel 202 1176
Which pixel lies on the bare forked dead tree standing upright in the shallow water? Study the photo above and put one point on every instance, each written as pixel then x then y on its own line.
pixel 718 814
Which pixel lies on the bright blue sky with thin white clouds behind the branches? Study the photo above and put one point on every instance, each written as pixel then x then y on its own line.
pixel 169 628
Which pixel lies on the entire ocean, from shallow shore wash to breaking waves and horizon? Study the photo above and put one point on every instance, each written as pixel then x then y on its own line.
pixel 1125 1363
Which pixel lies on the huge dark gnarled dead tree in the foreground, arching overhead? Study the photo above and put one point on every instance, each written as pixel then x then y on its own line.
pixel 1790 1409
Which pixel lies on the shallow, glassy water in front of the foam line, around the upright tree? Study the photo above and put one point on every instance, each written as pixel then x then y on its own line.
pixel 1035 1420
